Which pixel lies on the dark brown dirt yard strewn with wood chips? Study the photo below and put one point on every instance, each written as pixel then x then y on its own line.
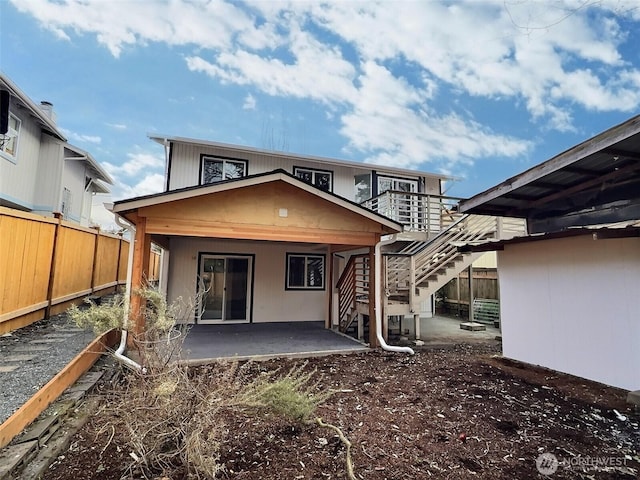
pixel 458 412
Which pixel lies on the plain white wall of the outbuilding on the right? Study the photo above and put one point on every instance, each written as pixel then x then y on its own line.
pixel 572 305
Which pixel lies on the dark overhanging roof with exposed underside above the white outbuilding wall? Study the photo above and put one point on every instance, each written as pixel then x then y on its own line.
pixel 597 181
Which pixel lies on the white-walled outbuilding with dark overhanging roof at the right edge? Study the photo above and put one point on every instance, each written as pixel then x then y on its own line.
pixel 569 290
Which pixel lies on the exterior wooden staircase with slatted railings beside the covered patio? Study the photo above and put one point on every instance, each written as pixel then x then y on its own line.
pixel 416 269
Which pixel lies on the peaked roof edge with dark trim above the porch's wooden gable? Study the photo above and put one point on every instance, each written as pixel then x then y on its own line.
pixel 124 206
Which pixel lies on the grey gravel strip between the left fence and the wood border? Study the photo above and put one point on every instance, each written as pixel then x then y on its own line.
pixel 52 343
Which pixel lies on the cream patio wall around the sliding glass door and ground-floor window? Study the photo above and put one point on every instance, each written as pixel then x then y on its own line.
pixel 271 302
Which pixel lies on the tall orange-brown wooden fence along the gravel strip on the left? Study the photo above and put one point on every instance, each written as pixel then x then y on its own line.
pixel 47 263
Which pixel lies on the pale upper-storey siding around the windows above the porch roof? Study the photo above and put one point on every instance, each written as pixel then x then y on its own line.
pixel 185 168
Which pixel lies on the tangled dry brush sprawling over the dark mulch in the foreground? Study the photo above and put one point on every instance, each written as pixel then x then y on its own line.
pixel 175 419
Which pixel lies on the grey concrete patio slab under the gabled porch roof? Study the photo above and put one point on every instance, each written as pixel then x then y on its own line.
pixel 205 343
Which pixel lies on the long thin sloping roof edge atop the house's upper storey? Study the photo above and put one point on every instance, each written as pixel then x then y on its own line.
pixel 166 139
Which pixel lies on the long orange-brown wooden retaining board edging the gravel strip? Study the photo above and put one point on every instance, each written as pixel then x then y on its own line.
pixel 54 388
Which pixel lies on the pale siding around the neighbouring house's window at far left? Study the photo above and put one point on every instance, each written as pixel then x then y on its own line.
pixel 17 179
